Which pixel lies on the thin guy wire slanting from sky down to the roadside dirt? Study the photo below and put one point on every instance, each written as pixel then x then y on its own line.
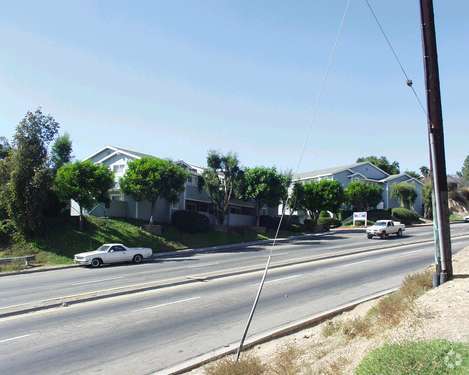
pixel 300 159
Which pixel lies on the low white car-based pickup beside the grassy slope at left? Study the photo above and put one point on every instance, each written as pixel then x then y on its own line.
pixel 113 253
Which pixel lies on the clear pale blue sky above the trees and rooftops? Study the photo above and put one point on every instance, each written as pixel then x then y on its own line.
pixel 177 78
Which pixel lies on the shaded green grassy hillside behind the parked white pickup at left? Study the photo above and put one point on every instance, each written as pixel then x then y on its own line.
pixel 61 239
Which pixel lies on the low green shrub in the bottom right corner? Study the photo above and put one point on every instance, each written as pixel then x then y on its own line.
pixel 417 358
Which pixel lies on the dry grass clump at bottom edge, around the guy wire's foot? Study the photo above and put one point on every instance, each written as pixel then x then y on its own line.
pixel 247 365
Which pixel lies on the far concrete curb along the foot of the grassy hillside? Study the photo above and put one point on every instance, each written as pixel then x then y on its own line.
pixel 176 253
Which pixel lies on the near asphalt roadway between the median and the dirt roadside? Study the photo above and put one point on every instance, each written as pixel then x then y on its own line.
pixel 150 331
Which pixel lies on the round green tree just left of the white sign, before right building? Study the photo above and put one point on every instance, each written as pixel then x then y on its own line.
pixel 325 195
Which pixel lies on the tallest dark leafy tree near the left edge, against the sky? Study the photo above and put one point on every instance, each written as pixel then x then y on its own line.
pixel 30 178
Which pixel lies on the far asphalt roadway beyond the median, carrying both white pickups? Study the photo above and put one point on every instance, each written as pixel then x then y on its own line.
pixel 22 289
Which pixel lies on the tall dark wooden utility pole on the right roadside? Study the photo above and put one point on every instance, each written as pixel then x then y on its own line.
pixel 436 139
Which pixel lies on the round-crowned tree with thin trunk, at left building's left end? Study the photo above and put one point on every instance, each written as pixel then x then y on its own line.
pixel 85 183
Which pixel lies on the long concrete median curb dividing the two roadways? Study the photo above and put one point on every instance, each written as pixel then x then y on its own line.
pixel 160 284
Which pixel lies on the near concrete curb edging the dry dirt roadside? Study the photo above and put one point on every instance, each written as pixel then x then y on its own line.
pixel 261 338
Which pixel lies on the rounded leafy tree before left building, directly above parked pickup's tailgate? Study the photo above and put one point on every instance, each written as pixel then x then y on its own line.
pixel 151 178
